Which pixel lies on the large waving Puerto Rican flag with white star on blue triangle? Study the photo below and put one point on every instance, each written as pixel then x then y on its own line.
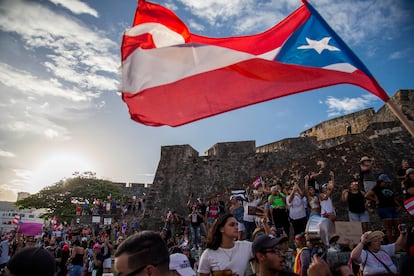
pixel 172 77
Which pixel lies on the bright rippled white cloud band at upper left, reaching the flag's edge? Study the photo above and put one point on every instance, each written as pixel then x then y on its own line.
pixel 72 53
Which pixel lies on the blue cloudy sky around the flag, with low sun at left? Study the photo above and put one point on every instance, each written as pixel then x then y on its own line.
pixel 61 110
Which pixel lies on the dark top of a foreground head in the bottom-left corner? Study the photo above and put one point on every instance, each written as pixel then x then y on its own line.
pixel 32 261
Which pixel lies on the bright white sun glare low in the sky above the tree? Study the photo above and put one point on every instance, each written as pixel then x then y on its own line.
pixel 57 167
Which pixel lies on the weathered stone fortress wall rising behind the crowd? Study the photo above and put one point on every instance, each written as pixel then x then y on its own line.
pixel 225 166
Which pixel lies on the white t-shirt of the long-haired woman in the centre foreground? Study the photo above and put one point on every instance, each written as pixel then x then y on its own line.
pixel 236 259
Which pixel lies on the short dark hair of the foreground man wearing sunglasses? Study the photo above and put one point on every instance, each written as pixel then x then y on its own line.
pixel 145 248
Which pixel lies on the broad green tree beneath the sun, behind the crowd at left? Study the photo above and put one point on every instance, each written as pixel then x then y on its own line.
pixel 61 198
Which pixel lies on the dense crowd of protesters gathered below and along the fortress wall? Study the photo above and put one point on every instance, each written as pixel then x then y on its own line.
pixel 261 231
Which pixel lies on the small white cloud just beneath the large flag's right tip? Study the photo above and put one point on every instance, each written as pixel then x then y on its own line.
pixel 338 106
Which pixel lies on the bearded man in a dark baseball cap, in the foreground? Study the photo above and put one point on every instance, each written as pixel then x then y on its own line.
pixel 269 252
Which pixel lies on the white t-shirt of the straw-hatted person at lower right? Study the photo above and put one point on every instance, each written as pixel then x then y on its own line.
pixel 373 266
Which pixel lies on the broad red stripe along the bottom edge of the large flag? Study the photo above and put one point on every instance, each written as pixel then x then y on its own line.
pixel 241 84
